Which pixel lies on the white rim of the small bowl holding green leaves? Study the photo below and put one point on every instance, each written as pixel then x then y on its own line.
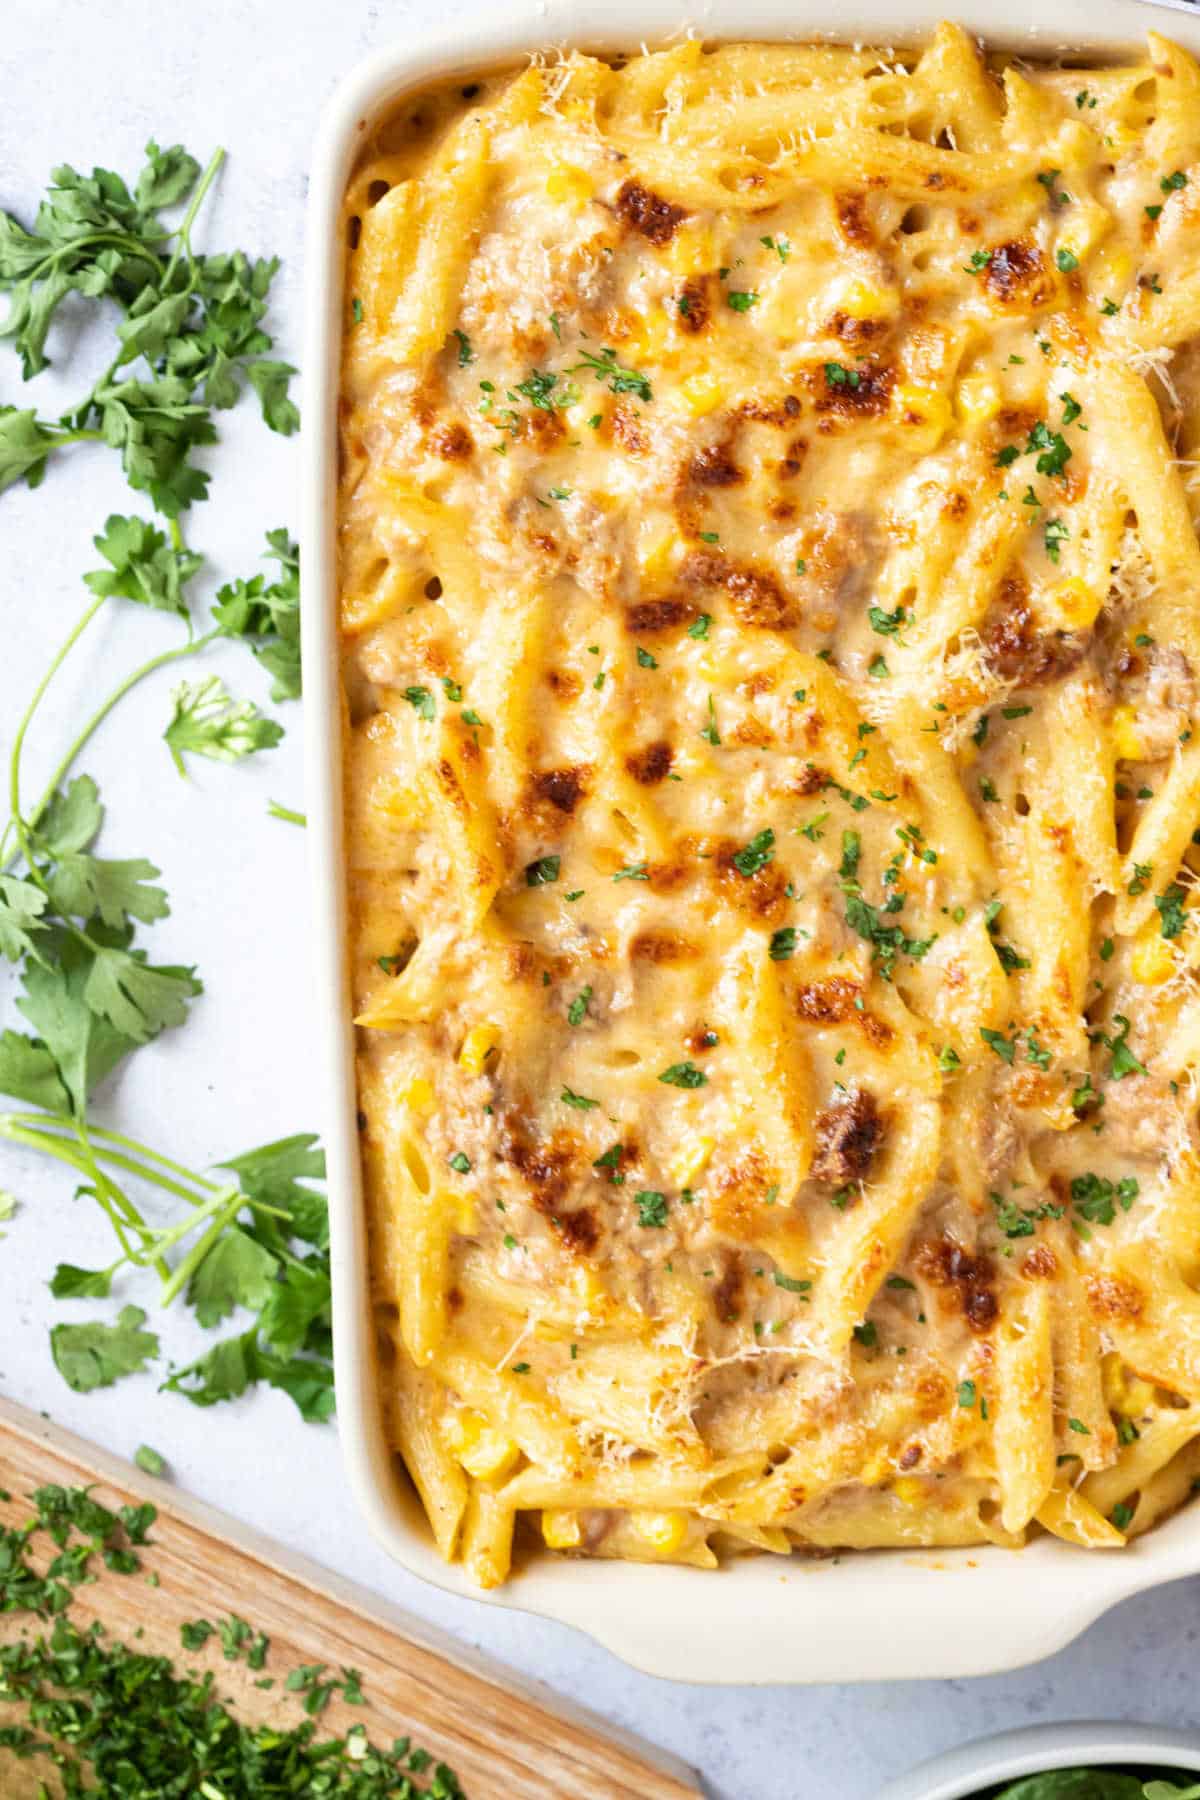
pixel 978 1768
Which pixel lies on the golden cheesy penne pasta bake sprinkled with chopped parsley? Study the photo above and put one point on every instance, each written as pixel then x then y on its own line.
pixel 771 616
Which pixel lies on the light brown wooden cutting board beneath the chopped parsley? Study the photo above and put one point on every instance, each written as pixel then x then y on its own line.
pixel 506 1738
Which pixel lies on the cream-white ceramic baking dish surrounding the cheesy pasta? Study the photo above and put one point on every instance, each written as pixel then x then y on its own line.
pixel 958 1614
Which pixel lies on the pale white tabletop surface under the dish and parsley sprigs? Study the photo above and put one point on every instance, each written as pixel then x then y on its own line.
pixel 93 80
